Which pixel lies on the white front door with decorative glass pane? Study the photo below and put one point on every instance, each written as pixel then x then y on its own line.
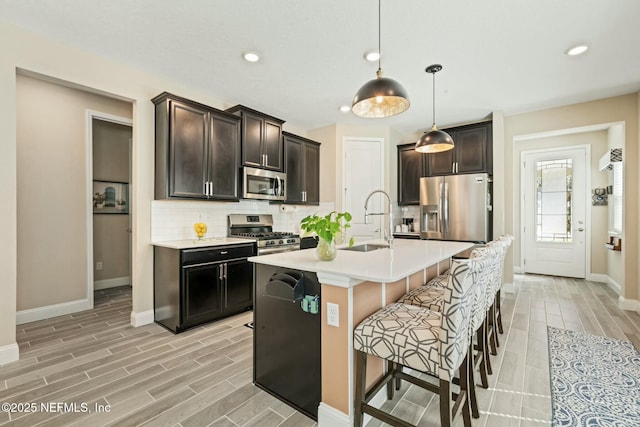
pixel 554 212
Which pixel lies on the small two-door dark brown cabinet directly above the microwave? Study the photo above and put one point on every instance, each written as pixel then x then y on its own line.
pixel 261 139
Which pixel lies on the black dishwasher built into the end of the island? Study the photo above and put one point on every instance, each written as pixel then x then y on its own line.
pixel 286 337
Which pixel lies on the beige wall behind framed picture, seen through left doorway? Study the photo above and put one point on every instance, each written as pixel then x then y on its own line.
pixel 110 236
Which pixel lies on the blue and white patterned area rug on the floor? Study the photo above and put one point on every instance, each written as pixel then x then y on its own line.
pixel 595 381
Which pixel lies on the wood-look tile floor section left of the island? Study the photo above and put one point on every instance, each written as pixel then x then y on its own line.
pixel 143 376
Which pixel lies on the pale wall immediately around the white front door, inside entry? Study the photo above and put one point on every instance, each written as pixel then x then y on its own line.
pixel 598 141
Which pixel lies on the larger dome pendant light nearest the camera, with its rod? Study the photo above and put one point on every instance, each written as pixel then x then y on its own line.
pixel 382 96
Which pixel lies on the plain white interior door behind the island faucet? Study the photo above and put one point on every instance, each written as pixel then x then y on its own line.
pixel 363 172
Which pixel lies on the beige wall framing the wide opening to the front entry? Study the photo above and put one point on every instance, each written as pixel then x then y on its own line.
pixel 589 114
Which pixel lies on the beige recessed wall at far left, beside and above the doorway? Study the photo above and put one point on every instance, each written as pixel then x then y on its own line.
pixel 52 190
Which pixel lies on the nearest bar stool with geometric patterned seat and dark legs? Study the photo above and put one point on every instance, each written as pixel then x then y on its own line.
pixel 433 342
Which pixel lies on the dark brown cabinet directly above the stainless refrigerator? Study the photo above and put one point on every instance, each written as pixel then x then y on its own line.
pixel 472 152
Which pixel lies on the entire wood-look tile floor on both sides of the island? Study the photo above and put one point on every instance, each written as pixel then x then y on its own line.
pixel 149 376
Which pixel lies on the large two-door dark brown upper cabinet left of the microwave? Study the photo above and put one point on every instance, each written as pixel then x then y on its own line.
pixel 197 150
